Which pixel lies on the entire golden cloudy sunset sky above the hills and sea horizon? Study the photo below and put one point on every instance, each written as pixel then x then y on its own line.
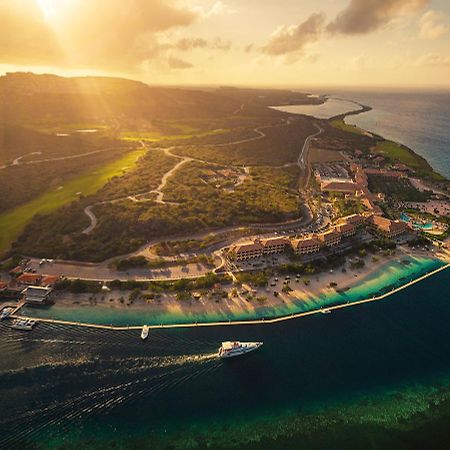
pixel 276 43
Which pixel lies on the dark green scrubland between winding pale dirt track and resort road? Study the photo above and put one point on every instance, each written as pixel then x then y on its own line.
pixel 123 226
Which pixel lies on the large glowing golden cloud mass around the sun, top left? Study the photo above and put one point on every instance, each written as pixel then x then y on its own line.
pixel 106 34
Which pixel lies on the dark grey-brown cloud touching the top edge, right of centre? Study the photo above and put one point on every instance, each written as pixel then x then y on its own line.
pixel 365 16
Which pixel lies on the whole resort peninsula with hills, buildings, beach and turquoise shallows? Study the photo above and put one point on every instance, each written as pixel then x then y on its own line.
pixel 245 212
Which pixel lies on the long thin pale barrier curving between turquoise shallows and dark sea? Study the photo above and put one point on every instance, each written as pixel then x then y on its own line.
pixel 262 321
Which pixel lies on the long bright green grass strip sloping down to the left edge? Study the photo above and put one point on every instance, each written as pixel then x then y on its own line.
pixel 13 222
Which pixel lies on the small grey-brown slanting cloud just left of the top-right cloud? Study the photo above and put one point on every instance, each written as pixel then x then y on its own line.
pixel 290 39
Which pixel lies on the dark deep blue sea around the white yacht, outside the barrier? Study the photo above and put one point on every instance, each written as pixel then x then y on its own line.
pixel 381 365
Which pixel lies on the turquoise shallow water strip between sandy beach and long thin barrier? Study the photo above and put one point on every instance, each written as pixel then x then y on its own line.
pixel 389 276
